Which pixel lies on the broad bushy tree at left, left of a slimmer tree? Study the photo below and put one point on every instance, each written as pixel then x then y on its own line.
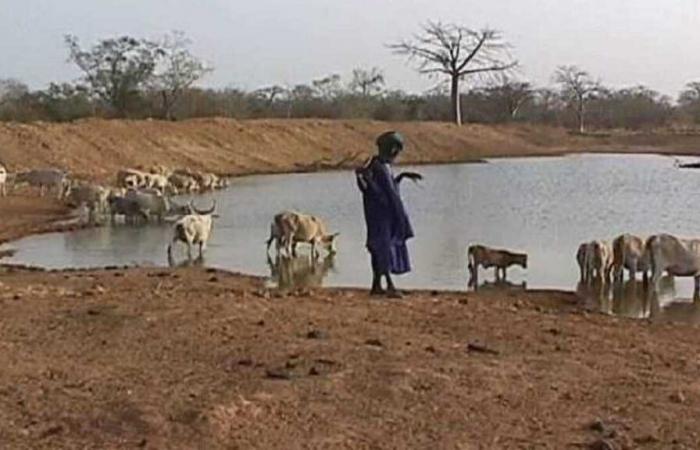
pixel 116 69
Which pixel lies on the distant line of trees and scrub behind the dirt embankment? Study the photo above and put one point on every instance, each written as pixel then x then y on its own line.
pixel 135 78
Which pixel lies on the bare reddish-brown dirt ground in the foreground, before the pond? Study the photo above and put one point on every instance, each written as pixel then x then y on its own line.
pixel 192 358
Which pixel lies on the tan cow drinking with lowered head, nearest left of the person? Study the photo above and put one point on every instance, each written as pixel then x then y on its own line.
pixel 290 228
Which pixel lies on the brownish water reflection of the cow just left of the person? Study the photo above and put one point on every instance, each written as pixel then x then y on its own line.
pixel 298 272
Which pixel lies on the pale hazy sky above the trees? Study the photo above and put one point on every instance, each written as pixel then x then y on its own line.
pixel 253 43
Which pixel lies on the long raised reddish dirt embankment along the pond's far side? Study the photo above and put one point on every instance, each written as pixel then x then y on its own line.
pixel 97 148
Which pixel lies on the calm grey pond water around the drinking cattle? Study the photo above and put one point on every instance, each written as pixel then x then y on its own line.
pixel 542 206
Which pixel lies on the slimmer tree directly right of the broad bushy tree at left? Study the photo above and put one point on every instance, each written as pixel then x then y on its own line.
pixel 176 71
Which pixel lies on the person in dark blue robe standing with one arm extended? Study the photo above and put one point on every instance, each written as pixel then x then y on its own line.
pixel 388 225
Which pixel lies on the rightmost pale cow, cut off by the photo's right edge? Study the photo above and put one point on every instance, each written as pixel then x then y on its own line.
pixel 678 257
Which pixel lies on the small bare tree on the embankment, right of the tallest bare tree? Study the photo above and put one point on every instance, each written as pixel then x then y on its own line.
pixel 577 88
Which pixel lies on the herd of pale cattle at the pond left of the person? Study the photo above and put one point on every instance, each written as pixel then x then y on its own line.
pixel 140 196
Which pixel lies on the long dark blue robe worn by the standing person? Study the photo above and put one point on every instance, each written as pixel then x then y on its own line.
pixel 388 226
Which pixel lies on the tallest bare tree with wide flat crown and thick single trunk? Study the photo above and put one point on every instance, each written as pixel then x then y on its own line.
pixel 458 52
